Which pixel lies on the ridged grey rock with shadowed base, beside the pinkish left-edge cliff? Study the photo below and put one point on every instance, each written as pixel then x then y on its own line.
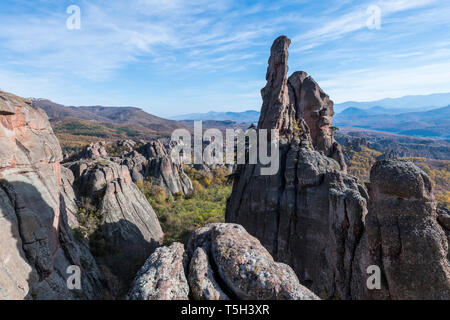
pixel 127 229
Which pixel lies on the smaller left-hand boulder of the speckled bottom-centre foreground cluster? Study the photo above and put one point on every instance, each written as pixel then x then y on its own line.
pixel 163 276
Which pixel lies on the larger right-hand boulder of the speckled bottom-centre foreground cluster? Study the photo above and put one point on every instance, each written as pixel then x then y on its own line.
pixel 249 270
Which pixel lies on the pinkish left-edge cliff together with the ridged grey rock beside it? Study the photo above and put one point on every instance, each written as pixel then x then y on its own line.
pixel 43 205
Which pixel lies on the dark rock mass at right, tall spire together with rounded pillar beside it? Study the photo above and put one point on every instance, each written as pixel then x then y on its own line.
pixel 314 217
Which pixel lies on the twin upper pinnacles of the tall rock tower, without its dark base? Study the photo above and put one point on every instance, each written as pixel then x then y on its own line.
pixel 288 103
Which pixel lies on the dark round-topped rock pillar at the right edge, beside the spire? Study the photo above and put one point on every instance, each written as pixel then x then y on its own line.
pixel 403 236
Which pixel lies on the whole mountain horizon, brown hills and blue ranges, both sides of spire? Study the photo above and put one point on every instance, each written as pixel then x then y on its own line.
pixel 85 123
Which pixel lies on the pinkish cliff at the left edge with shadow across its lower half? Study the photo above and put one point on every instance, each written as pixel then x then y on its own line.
pixel 37 245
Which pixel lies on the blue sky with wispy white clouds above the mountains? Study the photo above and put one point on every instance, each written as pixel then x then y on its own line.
pixel 173 57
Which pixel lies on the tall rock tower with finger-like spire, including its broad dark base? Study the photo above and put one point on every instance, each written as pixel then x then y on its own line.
pixel 308 215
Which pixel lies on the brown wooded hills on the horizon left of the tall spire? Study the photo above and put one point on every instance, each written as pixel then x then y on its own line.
pixel 77 126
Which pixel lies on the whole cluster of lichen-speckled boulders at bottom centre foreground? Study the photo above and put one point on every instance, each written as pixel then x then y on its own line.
pixel 222 261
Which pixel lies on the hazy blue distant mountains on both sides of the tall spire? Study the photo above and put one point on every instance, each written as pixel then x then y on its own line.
pixel 419 116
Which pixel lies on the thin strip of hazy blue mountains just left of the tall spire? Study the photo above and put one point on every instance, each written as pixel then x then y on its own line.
pixel 249 116
